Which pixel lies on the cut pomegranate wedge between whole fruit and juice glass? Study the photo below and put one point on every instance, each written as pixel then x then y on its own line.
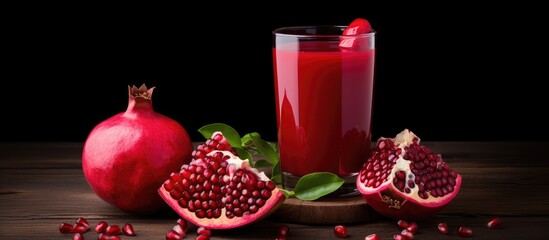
pixel 218 190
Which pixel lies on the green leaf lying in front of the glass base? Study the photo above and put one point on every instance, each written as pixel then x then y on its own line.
pixel 315 185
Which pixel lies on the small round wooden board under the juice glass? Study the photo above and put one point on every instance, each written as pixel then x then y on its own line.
pixel 325 211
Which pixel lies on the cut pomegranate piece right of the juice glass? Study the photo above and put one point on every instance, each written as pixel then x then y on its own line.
pixel 405 180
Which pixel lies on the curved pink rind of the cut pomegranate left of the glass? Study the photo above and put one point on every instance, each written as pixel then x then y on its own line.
pixel 224 222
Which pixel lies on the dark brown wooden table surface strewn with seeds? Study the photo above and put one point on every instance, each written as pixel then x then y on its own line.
pixel 42 185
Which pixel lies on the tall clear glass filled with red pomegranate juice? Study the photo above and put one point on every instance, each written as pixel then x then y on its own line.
pixel 323 92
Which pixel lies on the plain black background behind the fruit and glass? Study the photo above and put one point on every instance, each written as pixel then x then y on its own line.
pixel 457 72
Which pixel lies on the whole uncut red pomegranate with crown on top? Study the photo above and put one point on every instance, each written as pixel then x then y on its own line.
pixel 127 156
